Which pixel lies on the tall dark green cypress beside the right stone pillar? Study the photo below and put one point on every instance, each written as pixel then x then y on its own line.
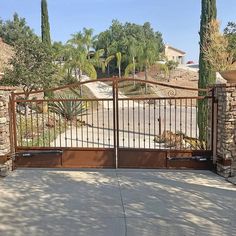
pixel 206 74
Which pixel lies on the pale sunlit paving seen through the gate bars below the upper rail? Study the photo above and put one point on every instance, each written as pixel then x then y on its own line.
pixel 138 127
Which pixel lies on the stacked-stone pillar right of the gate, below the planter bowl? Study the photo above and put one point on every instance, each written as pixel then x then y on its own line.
pixel 225 95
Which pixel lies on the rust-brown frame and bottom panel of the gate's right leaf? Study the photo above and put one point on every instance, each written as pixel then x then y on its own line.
pixel 164 158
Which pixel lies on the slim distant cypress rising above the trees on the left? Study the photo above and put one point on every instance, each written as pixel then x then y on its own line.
pixel 45 28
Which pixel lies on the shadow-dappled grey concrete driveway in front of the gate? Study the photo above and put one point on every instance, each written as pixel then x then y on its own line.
pixel 36 202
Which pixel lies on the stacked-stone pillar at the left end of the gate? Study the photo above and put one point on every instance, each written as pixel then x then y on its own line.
pixel 5 147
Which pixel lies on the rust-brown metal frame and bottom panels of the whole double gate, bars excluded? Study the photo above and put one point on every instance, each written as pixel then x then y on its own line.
pixel 117 157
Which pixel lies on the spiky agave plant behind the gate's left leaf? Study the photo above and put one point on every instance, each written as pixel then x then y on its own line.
pixel 68 106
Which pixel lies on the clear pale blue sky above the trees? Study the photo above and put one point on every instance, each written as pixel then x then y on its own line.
pixel 177 20
